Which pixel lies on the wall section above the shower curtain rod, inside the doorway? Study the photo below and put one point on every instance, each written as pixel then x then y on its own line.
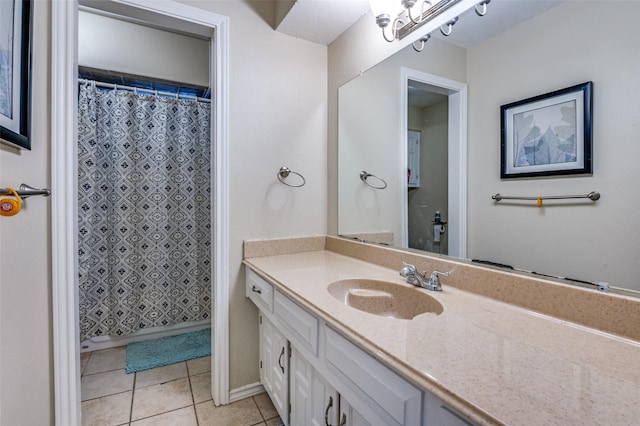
pixel 116 45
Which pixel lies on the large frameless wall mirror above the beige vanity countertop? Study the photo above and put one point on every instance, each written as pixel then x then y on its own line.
pixel 520 49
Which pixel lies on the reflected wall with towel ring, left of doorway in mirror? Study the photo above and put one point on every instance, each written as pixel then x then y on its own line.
pixel 370 138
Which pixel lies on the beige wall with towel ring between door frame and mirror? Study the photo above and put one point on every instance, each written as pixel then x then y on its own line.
pixel 277 118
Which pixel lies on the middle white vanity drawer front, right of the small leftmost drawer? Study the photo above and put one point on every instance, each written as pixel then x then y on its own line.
pixel 302 327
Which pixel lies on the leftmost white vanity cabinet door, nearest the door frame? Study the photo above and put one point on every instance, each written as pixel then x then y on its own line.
pixel 274 366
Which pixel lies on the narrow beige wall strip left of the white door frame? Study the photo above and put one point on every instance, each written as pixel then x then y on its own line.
pixel 26 360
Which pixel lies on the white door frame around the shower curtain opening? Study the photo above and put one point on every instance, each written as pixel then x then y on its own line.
pixel 64 270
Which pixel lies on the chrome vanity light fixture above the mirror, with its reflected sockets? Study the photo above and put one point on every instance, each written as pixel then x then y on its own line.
pixel 404 22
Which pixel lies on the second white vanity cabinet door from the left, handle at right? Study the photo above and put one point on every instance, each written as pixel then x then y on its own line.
pixel 313 400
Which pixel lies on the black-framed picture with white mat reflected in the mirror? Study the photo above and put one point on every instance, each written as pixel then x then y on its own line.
pixel 547 135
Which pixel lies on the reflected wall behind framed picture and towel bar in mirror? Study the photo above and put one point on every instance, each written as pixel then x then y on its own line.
pixel 570 44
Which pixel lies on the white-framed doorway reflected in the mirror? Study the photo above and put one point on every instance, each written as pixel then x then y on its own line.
pixel 434 114
